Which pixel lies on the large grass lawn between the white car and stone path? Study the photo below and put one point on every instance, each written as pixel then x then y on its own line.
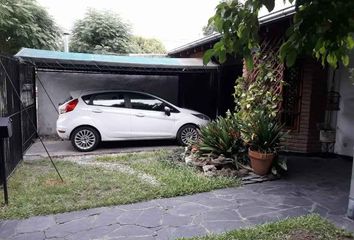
pixel 34 189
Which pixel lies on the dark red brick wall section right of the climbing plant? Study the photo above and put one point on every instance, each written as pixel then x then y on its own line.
pixel 305 139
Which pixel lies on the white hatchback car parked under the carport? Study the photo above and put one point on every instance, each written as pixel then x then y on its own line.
pixel 89 117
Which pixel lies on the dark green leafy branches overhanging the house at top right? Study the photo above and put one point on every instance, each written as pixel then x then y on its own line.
pixel 322 28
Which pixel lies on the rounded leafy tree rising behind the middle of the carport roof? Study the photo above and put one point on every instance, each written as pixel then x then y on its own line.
pixel 100 32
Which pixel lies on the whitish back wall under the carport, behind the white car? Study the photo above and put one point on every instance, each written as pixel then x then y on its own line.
pixel 59 84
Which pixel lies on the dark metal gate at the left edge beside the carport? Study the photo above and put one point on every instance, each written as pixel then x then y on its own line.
pixel 17 84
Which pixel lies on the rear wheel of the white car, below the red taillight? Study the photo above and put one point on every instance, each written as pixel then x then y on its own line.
pixel 85 139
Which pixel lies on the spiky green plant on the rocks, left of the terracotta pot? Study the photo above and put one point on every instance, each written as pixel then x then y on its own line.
pixel 221 136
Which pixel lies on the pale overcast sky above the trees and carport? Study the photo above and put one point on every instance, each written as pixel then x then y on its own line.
pixel 174 22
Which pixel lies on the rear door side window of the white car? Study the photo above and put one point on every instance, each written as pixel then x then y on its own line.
pixel 108 100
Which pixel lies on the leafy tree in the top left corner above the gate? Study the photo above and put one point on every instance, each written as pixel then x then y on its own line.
pixel 24 23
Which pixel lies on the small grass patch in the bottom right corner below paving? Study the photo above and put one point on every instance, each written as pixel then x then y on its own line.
pixel 311 227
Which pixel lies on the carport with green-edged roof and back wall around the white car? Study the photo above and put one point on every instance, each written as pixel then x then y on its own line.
pixel 185 82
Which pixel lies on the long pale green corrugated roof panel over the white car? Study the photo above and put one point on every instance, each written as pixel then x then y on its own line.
pixel 34 54
